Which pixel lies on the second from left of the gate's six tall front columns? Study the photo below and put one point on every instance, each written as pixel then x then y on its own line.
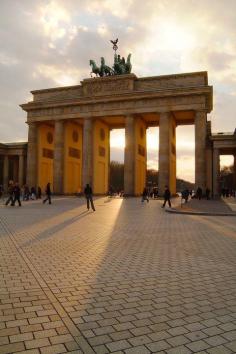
pixel 58 160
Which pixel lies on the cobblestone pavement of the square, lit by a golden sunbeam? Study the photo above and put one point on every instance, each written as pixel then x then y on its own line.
pixel 128 278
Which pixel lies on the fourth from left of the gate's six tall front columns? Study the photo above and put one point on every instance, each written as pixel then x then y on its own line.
pixel 129 170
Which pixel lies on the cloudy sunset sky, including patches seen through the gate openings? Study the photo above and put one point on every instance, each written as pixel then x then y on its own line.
pixel 49 43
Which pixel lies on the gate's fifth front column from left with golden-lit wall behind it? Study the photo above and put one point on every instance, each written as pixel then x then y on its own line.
pixel 167 153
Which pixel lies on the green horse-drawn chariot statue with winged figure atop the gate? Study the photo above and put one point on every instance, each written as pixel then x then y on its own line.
pixel 120 66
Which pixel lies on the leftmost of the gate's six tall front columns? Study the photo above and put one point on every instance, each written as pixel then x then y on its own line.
pixel 32 158
